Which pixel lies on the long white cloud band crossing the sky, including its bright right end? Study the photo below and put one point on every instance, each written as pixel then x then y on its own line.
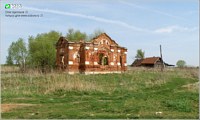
pixel 168 29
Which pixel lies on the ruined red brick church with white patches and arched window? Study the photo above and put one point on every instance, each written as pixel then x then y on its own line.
pixel 101 55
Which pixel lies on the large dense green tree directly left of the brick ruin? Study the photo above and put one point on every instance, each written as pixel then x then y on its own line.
pixel 42 50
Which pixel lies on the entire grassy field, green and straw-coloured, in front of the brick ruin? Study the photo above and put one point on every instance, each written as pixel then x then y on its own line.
pixel 138 93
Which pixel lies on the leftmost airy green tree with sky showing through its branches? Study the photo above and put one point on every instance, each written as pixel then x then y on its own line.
pixel 17 54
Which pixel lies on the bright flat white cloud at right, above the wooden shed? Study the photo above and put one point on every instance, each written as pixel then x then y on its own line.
pixel 175 28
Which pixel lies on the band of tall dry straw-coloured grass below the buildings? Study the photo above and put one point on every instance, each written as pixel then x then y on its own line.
pixel 35 82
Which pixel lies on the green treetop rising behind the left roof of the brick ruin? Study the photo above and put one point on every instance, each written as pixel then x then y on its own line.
pixel 75 35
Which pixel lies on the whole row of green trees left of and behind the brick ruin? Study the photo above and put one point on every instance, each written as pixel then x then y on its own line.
pixel 40 51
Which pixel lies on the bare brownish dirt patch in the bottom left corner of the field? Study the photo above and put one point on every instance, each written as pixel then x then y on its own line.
pixel 9 107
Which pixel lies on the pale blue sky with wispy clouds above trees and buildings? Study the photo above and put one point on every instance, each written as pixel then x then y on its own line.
pixel 134 24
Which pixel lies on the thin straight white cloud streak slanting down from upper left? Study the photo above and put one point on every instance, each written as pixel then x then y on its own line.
pixel 95 18
